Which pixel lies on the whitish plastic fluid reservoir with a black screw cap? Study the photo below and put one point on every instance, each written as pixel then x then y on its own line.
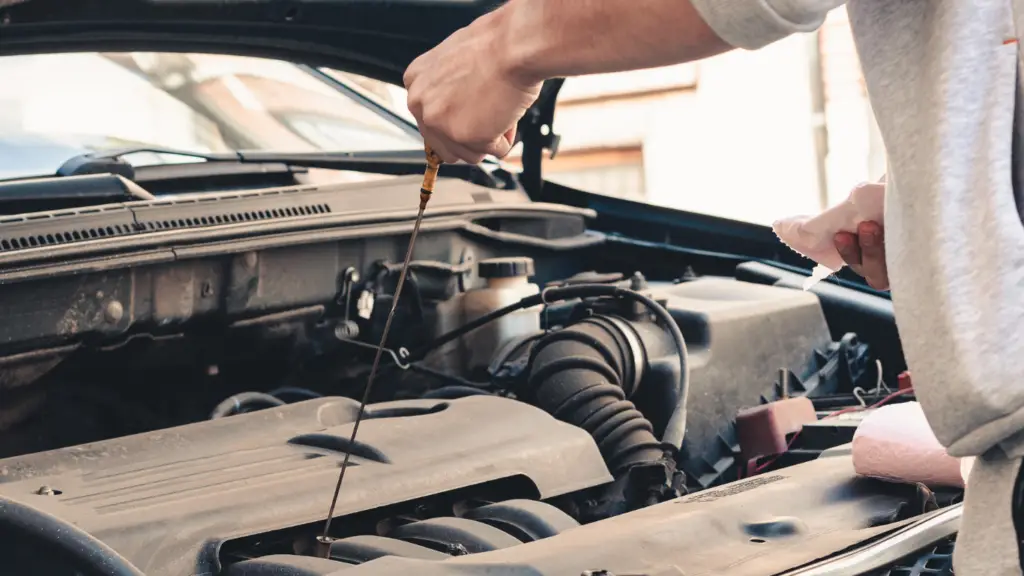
pixel 507 282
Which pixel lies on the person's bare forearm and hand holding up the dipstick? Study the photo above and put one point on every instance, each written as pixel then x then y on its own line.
pixel 468 94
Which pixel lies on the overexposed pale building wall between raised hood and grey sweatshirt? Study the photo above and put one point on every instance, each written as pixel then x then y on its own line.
pixel 747 136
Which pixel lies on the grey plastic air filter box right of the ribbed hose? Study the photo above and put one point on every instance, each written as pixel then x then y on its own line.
pixel 740 336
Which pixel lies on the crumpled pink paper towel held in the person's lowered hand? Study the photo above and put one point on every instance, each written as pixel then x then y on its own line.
pixel 815 236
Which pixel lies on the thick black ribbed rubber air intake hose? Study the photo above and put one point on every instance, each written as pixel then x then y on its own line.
pixel 584 376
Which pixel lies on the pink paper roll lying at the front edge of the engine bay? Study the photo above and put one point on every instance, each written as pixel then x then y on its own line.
pixel 895 443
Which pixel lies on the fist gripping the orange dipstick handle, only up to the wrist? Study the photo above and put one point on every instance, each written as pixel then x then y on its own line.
pixel 466 103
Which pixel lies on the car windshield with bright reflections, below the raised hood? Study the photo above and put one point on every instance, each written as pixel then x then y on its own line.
pixel 60 106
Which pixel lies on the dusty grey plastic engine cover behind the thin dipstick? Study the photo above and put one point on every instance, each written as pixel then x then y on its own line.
pixel 165 500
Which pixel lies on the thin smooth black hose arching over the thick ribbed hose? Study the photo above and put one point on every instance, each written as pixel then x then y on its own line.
pixel 675 431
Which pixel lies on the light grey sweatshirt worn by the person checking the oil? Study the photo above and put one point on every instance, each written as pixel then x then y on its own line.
pixel 943 80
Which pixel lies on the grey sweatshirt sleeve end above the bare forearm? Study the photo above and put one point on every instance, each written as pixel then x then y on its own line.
pixel 755 24
